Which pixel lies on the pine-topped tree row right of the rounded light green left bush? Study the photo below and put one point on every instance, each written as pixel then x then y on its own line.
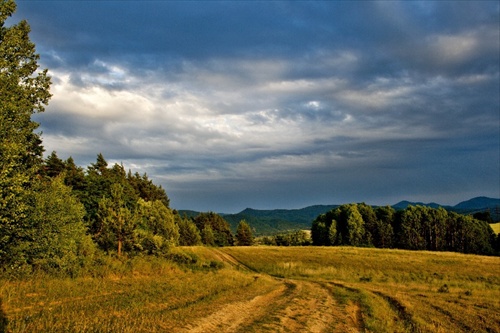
pixel 128 212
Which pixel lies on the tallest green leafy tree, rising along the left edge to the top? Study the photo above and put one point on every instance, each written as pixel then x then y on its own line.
pixel 24 91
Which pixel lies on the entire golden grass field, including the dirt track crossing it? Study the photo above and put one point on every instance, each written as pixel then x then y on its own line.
pixel 266 289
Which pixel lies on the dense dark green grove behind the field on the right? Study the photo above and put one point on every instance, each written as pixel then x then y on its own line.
pixel 414 228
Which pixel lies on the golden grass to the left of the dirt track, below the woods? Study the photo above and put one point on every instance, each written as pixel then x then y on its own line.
pixel 152 295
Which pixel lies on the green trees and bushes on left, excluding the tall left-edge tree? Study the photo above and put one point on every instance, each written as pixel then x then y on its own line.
pixel 75 214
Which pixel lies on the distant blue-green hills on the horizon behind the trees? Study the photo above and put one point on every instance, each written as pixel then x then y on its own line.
pixel 270 222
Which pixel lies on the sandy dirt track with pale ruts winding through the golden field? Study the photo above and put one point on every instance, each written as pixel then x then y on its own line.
pixel 293 306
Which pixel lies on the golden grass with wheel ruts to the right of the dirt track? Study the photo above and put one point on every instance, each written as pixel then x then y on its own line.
pixel 425 291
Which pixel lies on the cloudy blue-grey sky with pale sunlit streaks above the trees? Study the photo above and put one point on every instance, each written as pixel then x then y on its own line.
pixel 271 104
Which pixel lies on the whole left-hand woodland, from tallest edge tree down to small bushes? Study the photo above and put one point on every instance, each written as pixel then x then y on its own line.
pixel 57 216
